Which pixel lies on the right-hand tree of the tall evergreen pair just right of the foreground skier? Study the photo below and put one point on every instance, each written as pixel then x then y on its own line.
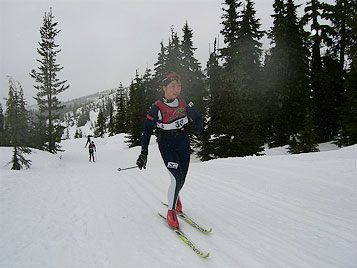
pixel 250 70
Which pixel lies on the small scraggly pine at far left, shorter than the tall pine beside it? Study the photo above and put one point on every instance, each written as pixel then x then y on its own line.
pixel 17 125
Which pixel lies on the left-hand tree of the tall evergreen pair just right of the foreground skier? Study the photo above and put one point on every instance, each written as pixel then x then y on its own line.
pixel 226 136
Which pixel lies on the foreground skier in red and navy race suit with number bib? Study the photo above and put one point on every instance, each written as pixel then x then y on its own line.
pixel 171 115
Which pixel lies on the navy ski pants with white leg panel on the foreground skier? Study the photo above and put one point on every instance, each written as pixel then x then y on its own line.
pixel 176 155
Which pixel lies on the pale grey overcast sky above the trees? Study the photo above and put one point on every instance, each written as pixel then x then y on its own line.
pixel 103 42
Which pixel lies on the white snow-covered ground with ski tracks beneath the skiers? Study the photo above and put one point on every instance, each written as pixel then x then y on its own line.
pixel 272 211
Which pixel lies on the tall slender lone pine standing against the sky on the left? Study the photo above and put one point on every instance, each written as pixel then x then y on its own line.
pixel 48 84
